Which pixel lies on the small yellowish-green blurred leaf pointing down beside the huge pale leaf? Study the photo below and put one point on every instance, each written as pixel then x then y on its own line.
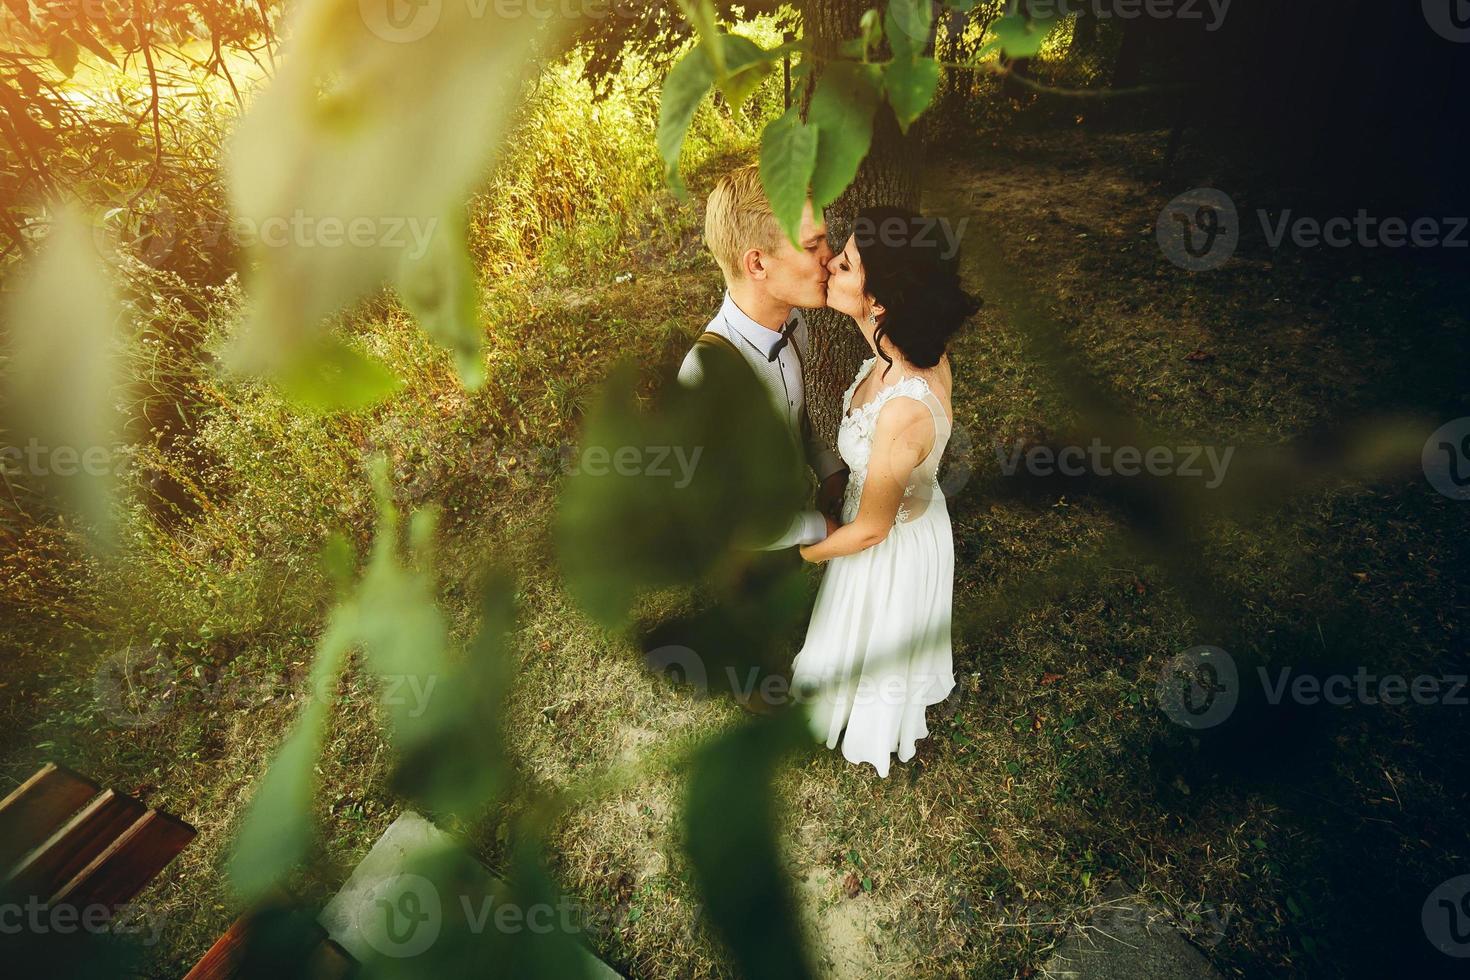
pixel 440 289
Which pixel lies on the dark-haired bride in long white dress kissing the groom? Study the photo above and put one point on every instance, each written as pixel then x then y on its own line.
pixel 878 647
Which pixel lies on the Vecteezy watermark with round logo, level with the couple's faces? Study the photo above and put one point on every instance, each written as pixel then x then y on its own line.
pixel 1200 230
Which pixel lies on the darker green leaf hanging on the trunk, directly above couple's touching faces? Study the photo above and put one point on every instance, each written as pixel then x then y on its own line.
pixel 843 111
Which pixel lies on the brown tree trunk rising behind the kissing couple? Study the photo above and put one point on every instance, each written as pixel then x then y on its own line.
pixel 889 177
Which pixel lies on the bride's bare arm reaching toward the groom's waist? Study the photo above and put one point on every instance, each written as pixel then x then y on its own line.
pixel 902 440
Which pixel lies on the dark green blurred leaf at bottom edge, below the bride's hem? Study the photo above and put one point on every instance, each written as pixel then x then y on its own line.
pixel 731 840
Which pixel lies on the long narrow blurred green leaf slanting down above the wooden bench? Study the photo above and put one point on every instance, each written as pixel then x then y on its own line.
pixel 277 831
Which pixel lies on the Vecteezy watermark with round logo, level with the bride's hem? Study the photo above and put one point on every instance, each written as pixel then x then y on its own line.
pixel 1202 688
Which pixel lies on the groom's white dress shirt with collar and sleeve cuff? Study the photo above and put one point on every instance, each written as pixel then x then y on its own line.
pixel 783 380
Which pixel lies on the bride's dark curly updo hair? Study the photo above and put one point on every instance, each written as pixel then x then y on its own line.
pixel 909 271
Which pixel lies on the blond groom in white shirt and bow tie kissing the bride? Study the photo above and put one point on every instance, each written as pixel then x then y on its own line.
pixel 767 278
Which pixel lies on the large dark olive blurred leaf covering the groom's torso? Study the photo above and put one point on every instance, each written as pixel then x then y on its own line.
pixel 656 502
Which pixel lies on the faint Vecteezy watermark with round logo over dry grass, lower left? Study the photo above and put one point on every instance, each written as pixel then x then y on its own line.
pixel 139 687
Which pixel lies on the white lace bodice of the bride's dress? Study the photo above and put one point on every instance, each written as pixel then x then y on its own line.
pixel 855 444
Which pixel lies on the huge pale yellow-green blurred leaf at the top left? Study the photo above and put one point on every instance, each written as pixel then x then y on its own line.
pixel 364 139
